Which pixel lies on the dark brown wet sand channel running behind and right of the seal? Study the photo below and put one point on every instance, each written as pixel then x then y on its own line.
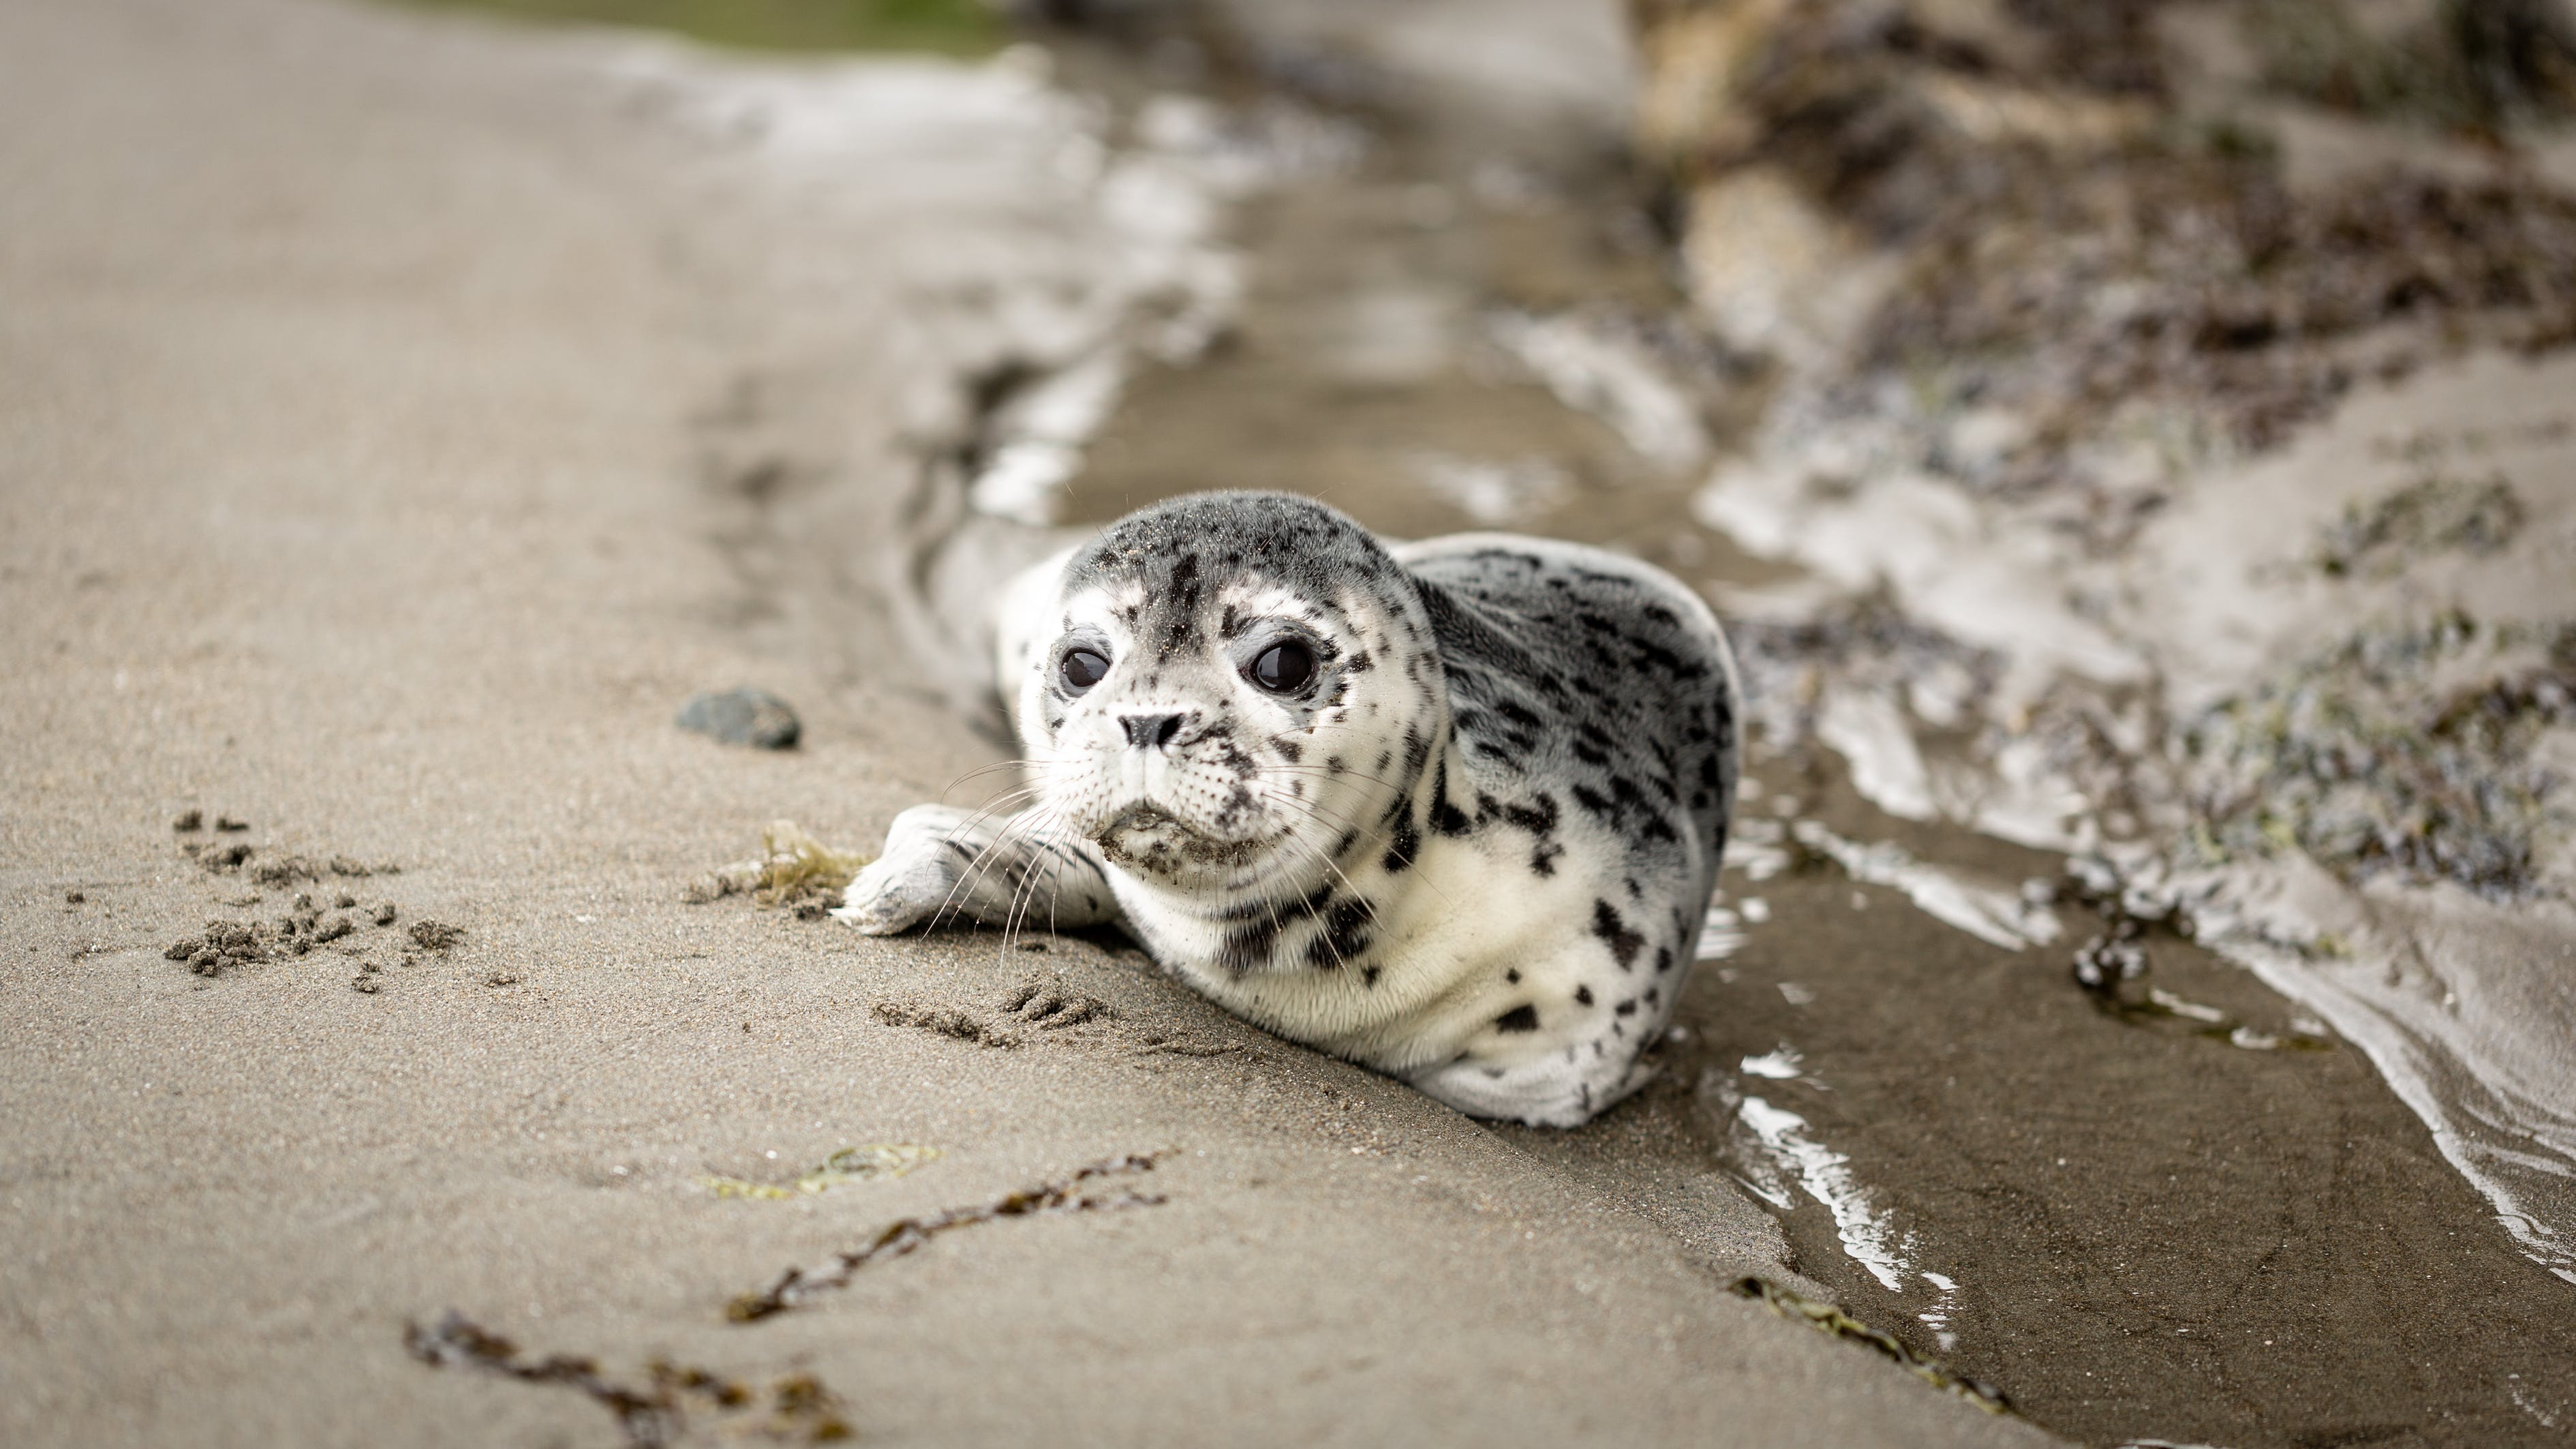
pixel 2201 1223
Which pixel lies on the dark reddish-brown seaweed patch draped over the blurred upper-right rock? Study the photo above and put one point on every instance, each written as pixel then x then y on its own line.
pixel 2204 282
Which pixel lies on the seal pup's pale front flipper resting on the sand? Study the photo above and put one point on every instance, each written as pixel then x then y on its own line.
pixel 988 870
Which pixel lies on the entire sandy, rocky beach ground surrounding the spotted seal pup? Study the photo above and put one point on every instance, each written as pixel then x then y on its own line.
pixel 2137 481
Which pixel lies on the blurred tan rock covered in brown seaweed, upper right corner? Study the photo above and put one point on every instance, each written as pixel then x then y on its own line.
pixel 2083 282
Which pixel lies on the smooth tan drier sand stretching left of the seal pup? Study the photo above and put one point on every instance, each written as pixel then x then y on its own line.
pixel 370 391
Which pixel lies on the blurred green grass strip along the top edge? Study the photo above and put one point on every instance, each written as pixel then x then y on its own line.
pixel 944 27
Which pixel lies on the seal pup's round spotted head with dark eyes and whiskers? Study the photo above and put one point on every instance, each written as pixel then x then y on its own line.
pixel 1238 690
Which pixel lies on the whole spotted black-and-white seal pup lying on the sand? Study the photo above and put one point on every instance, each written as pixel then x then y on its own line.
pixel 1446 808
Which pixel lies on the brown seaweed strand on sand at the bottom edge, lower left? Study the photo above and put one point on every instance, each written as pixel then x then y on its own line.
pixel 795 1409
